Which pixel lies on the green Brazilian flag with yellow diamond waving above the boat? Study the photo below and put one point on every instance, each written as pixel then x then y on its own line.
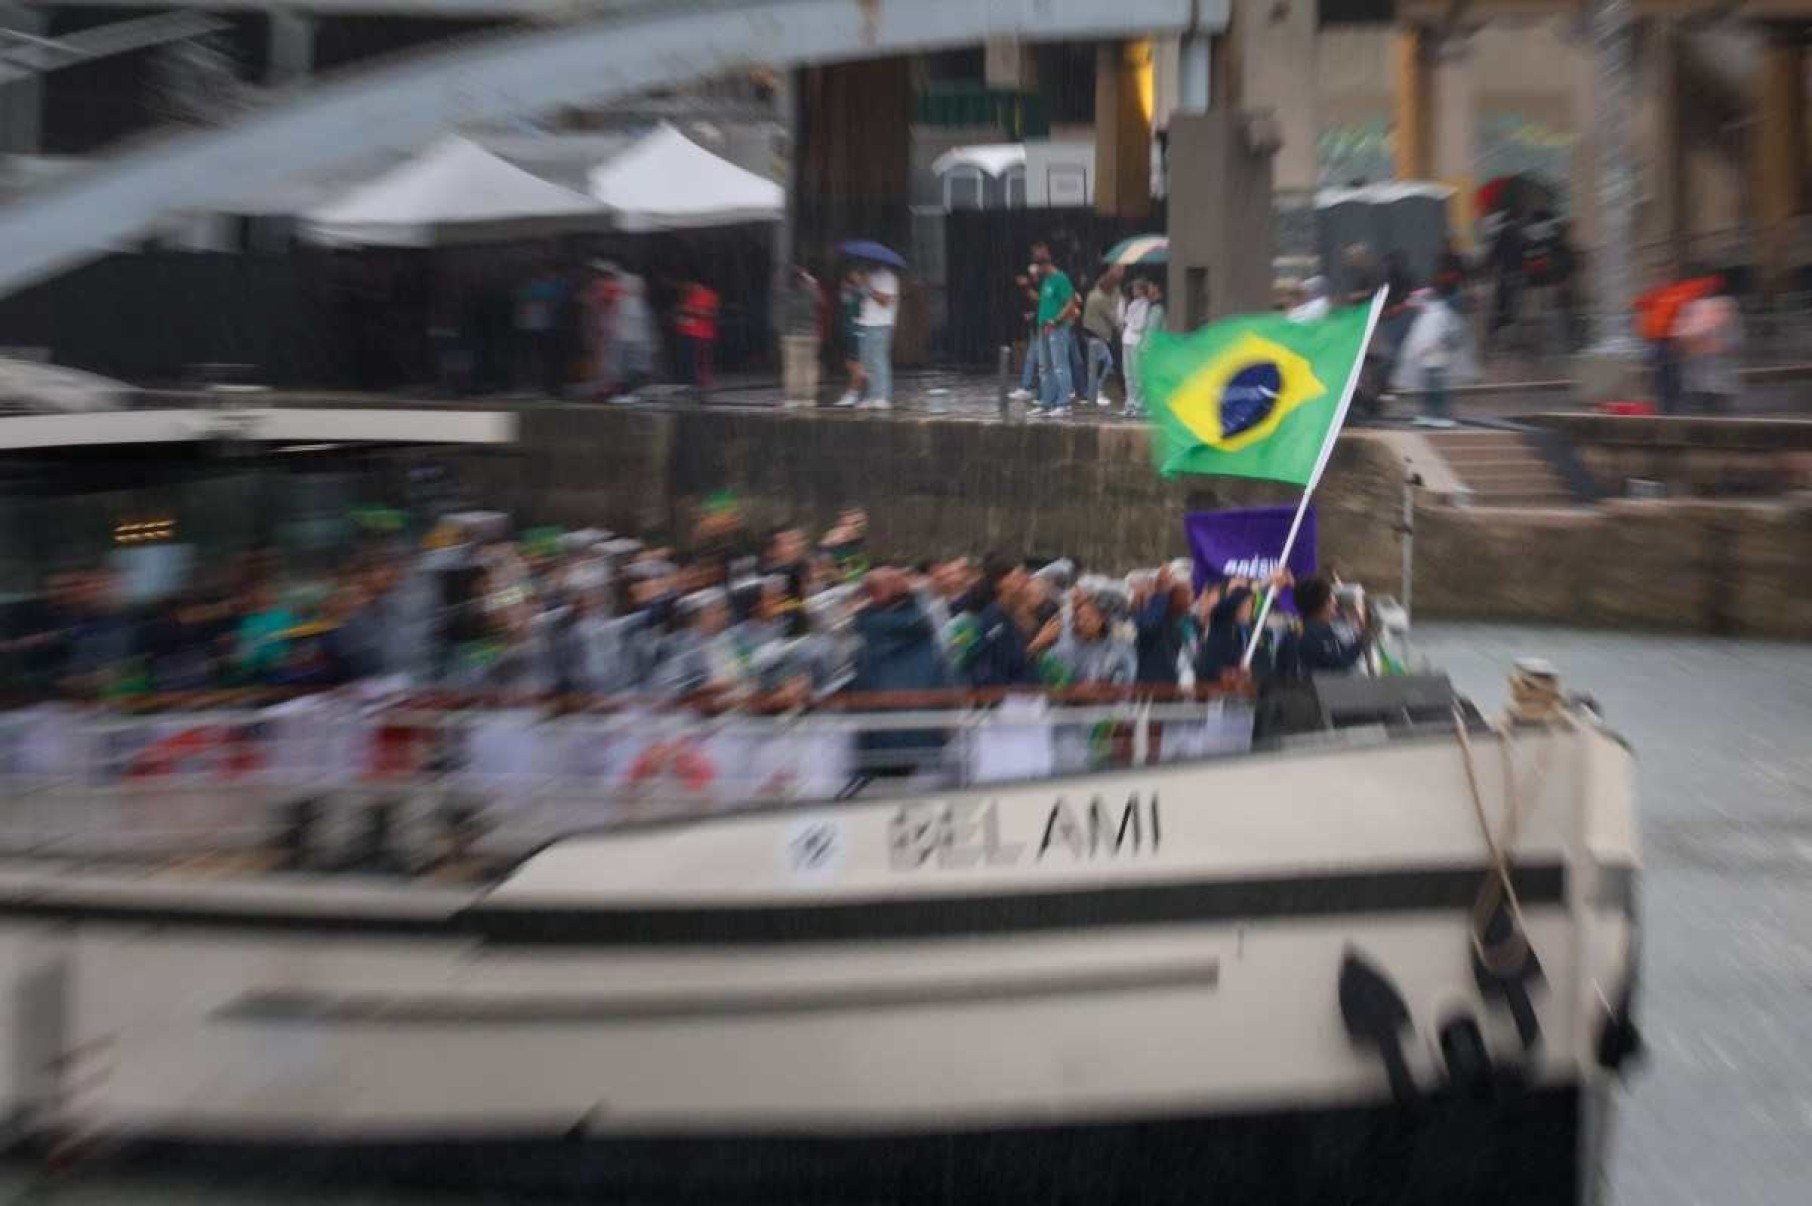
pixel 1253 397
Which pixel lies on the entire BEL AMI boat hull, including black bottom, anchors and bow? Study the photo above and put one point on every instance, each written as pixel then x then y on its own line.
pixel 1387 957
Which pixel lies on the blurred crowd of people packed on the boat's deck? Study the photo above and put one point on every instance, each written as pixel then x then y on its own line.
pixel 782 617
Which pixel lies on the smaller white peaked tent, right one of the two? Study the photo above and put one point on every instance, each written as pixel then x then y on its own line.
pixel 668 182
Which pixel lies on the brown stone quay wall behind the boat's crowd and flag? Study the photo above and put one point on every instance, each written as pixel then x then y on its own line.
pixel 1083 490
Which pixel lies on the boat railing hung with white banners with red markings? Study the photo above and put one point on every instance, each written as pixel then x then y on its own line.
pixel 162 778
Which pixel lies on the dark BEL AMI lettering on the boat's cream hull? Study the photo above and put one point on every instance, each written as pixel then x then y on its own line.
pixel 958 836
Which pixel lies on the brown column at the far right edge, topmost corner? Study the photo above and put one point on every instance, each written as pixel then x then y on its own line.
pixel 1780 153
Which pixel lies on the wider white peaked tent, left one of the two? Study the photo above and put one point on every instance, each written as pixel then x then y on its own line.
pixel 452 193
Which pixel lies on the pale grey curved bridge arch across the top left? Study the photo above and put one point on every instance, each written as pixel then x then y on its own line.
pixel 597 59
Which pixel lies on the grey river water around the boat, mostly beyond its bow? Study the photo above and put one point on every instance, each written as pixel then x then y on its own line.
pixel 1722 1111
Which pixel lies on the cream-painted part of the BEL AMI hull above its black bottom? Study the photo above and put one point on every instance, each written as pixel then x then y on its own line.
pixel 1077 957
